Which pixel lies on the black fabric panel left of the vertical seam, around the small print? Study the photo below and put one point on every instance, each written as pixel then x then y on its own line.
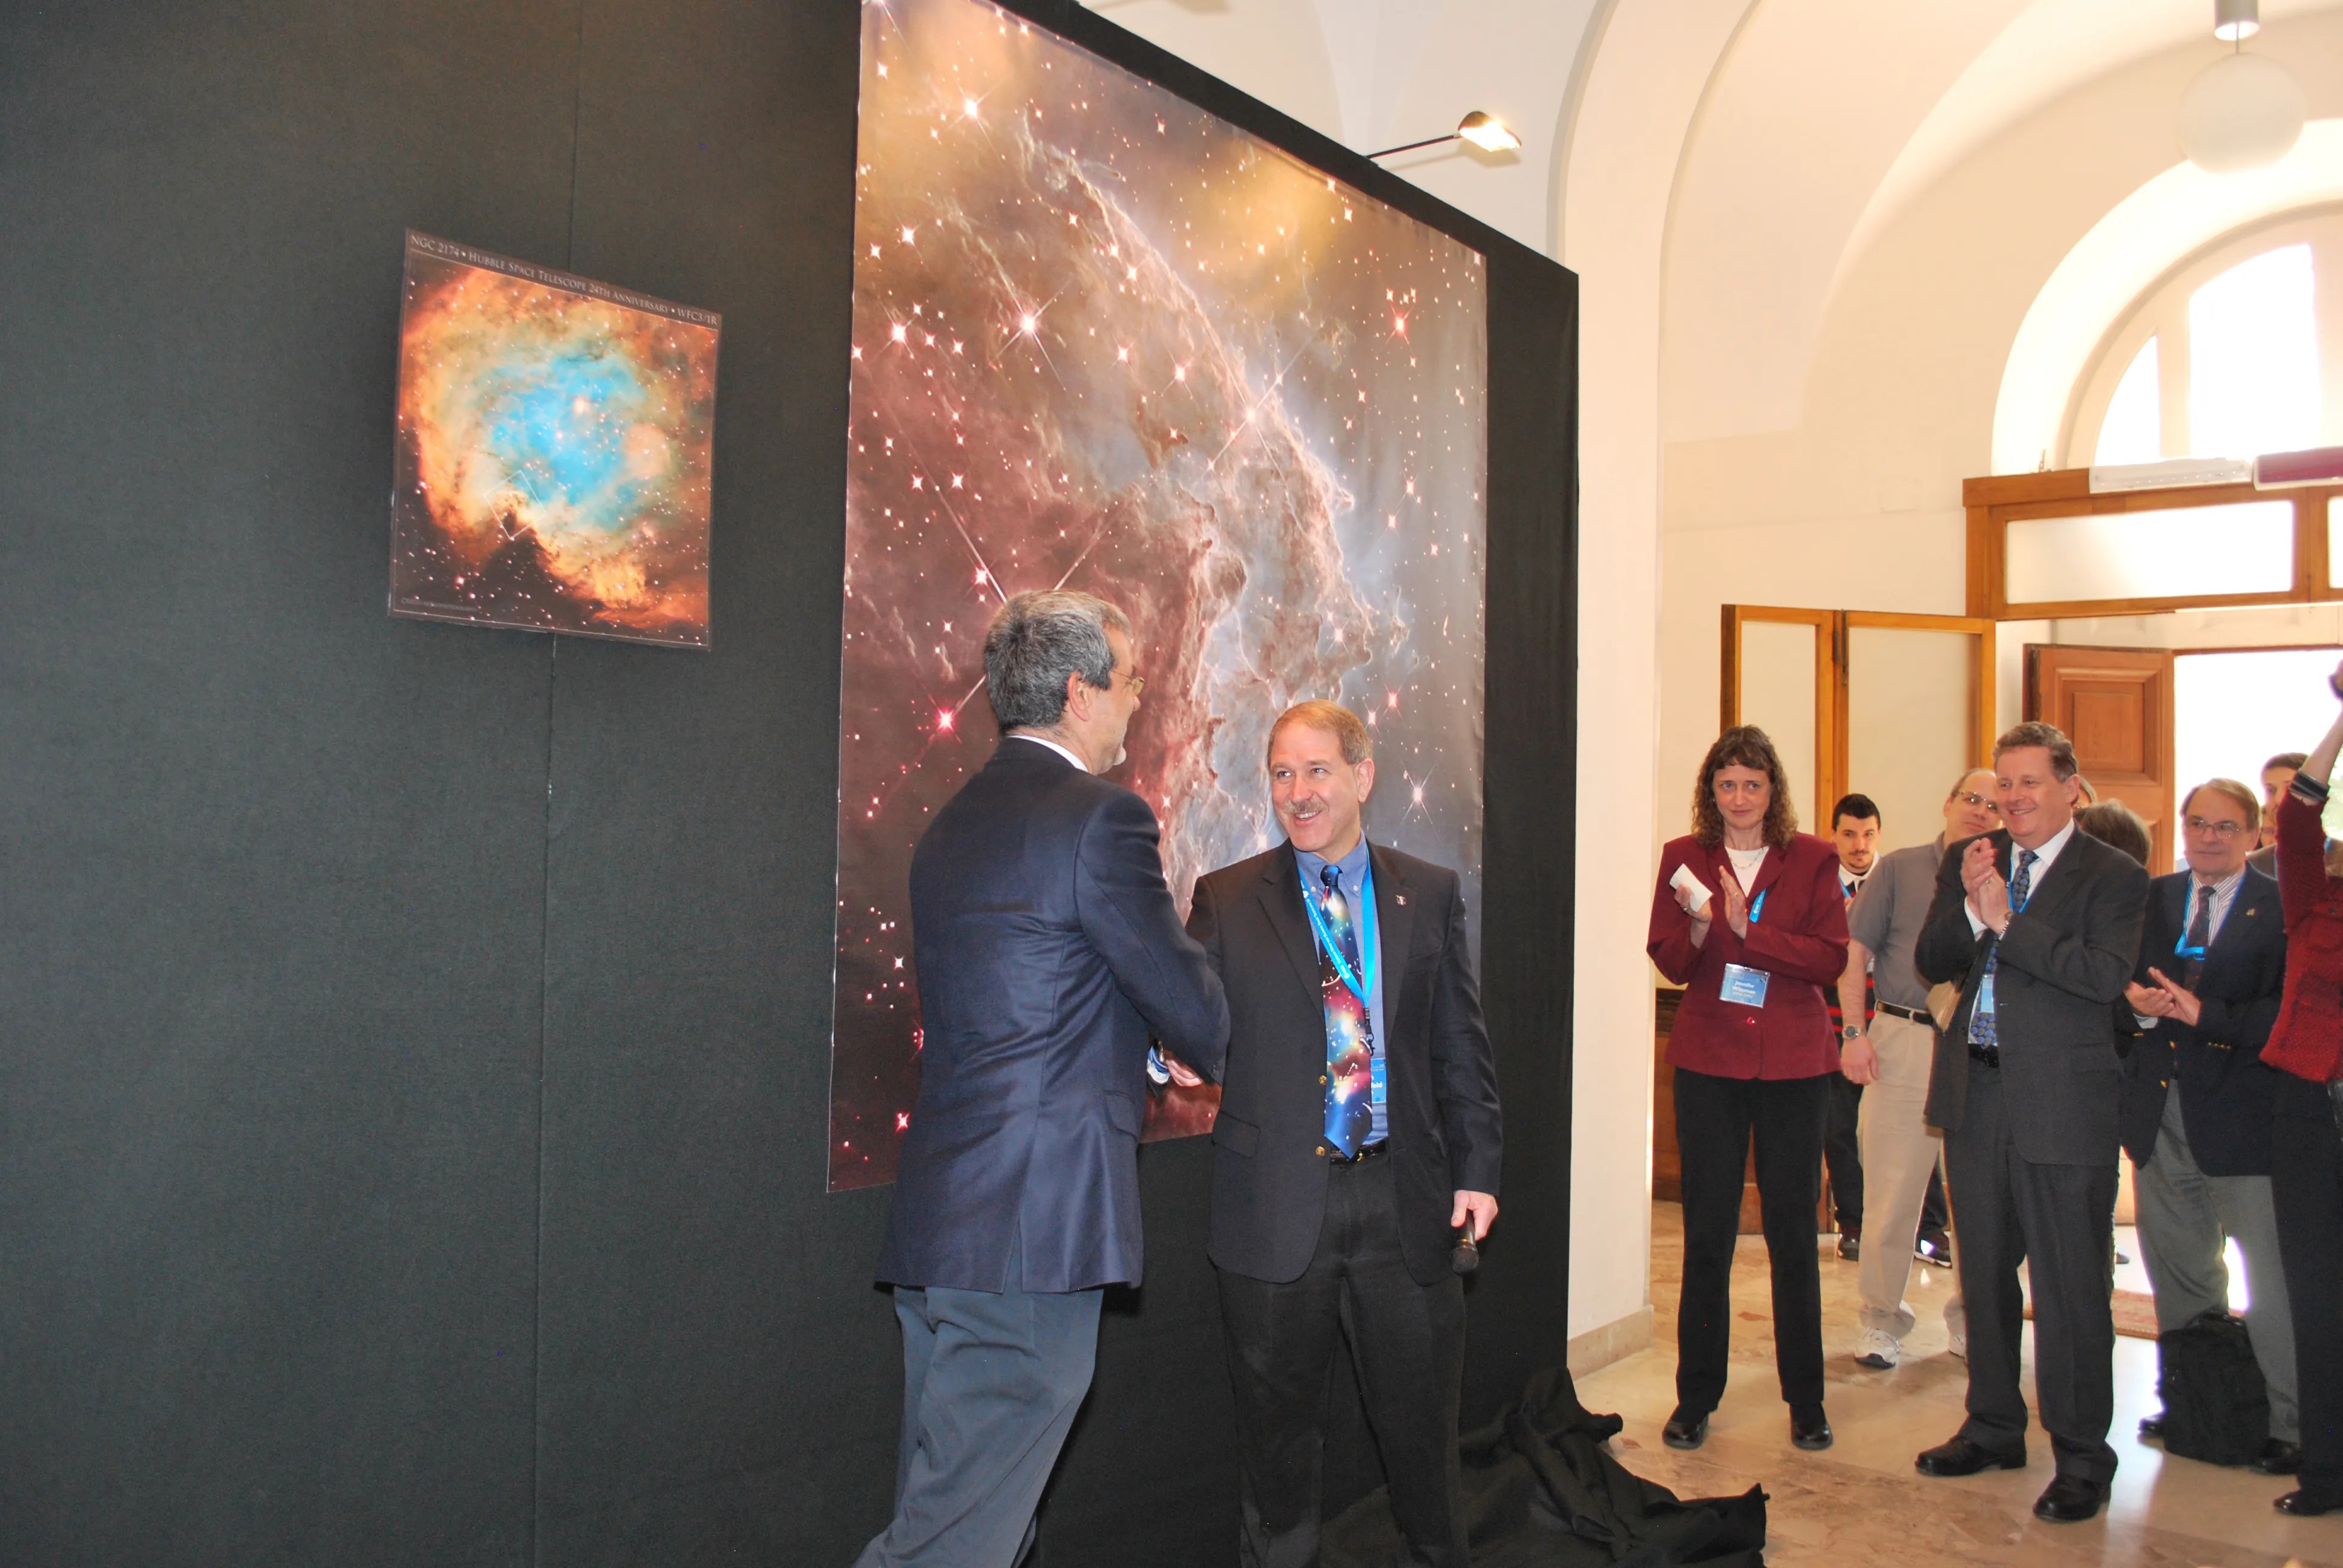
pixel 271 864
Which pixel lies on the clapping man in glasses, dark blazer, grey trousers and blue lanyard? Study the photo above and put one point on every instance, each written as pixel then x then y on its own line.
pixel 2199 1103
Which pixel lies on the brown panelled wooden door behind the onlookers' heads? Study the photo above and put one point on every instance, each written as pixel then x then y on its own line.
pixel 2117 709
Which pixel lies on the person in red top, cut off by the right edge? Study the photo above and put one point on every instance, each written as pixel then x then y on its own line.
pixel 2307 1124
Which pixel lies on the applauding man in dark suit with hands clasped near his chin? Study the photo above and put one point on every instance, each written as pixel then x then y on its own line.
pixel 2042 927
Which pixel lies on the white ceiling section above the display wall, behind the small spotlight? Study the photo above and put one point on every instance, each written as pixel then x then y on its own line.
pixel 1379 74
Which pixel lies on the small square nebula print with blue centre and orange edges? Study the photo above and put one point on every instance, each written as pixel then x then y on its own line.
pixel 554 451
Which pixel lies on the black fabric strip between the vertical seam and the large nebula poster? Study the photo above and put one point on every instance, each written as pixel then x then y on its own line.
pixel 720 1377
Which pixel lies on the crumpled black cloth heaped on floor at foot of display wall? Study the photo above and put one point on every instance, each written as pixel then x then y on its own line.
pixel 1545 1492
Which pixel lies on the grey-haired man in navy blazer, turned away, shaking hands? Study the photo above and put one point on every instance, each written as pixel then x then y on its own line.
pixel 1048 950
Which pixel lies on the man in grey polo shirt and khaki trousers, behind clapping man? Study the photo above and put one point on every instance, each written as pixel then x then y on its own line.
pixel 1892 1056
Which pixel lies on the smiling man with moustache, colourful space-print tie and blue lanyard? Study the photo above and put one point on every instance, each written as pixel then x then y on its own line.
pixel 1358 1131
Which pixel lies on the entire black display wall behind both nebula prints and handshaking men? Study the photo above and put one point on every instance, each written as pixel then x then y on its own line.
pixel 414 1039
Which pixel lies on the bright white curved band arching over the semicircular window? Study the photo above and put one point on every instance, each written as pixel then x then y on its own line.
pixel 2183 210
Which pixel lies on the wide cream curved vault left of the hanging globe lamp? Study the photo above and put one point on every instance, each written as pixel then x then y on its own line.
pixel 1822 125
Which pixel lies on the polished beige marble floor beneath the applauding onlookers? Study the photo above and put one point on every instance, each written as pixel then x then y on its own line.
pixel 1862 1504
